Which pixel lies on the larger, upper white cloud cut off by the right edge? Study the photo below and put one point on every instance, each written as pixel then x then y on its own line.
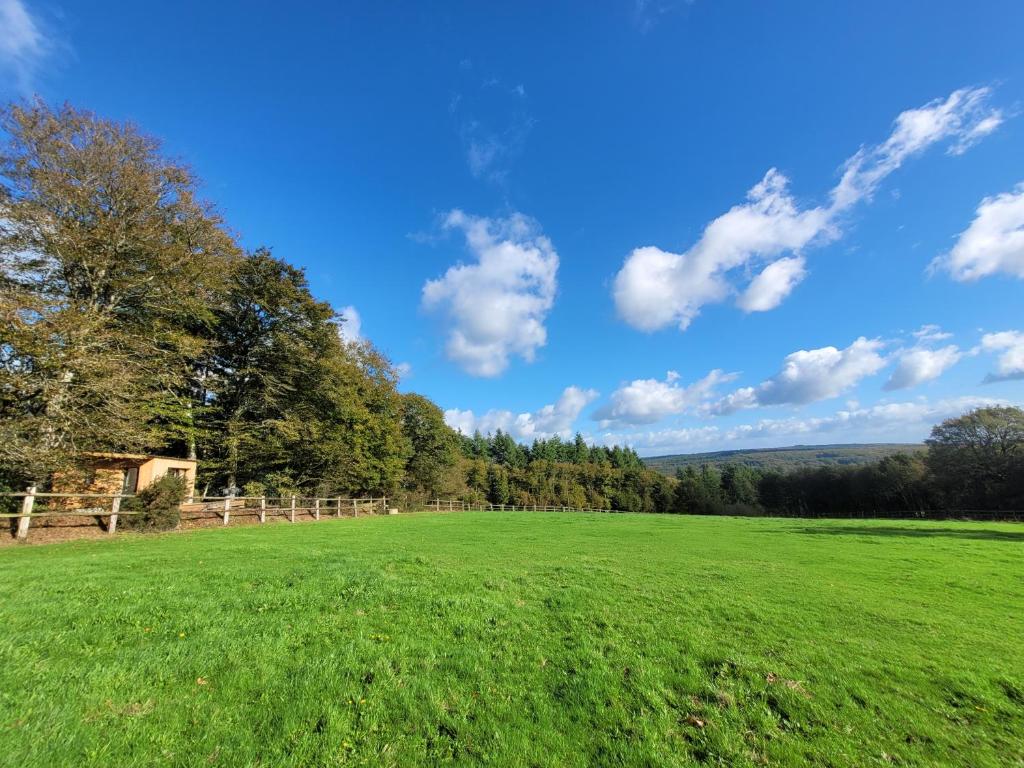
pixel 994 243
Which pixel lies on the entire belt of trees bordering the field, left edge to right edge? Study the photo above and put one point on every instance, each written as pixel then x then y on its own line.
pixel 133 321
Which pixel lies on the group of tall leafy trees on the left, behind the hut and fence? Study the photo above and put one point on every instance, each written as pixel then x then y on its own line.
pixel 133 322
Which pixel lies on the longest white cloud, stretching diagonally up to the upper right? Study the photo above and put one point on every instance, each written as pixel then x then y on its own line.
pixel 657 288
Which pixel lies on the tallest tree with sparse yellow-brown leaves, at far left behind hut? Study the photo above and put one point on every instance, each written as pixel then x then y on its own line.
pixel 109 261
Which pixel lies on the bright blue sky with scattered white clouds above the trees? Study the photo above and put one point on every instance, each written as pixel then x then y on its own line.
pixel 684 226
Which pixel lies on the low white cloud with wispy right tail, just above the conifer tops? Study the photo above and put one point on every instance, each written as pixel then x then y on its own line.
pixel 649 401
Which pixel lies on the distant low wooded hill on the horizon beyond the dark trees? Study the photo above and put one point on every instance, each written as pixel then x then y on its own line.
pixel 785 459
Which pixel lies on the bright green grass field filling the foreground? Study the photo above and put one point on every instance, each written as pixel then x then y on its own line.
pixel 519 639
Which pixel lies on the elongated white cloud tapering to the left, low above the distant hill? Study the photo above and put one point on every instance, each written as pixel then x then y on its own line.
pixel 810 375
